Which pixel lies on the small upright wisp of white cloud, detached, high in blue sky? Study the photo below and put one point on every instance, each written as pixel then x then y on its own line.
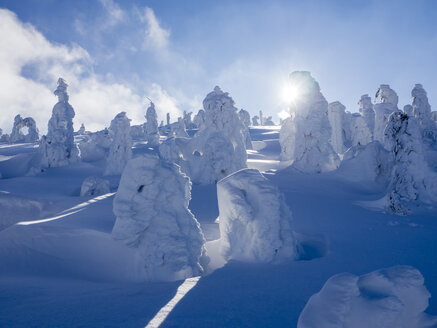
pixel 156 37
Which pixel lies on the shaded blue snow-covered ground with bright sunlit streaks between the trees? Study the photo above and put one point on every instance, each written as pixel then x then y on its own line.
pixel 60 266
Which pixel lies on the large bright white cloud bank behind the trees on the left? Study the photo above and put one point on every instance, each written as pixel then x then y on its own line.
pixel 30 66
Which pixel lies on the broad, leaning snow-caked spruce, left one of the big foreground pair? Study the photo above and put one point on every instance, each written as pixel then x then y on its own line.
pixel 151 206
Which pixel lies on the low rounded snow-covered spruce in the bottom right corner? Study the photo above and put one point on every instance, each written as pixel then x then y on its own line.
pixel 391 298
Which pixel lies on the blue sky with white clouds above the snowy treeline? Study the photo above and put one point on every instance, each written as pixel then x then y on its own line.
pixel 176 51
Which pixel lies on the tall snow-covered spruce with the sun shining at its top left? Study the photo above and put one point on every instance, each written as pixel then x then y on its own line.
pixel 304 138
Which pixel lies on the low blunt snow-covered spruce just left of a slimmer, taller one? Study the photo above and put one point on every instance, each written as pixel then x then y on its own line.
pixel 95 146
